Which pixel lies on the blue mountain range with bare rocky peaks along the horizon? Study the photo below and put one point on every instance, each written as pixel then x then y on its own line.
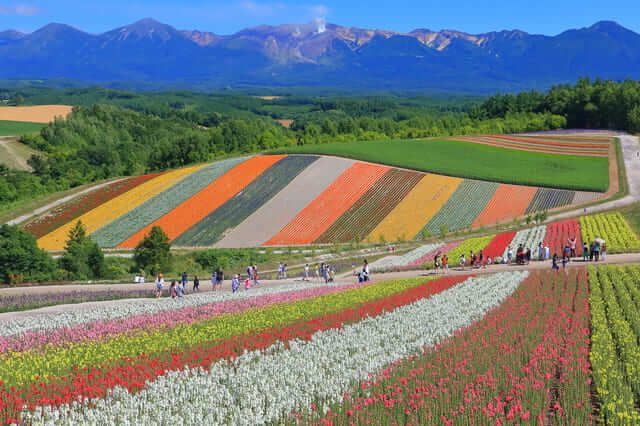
pixel 319 54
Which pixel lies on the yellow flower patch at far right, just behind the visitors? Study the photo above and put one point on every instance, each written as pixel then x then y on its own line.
pixel 613 228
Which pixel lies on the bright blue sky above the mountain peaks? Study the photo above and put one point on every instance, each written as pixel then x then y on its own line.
pixel 225 17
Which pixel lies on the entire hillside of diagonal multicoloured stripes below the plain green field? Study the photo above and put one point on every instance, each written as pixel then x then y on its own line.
pixel 269 200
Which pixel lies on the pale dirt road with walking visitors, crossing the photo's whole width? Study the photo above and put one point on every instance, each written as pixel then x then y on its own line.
pixel 205 285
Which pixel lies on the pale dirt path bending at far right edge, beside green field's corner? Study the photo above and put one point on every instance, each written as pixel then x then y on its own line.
pixel 630 148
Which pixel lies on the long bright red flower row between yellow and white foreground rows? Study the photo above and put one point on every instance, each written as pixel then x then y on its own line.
pixel 145 369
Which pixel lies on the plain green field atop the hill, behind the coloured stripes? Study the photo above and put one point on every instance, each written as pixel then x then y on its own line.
pixel 475 161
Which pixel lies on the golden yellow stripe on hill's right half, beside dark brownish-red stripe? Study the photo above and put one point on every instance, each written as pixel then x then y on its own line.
pixel 417 208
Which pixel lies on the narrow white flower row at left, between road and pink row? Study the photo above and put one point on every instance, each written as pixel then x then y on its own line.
pixel 110 311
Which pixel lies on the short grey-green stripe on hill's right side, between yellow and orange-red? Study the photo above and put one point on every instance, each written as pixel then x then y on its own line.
pixel 463 207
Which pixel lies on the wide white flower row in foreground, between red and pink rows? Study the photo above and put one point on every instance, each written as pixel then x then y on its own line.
pixel 265 386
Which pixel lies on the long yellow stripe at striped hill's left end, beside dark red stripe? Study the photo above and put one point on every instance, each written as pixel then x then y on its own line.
pixel 116 207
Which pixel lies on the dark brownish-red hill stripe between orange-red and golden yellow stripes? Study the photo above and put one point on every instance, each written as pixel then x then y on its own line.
pixel 357 222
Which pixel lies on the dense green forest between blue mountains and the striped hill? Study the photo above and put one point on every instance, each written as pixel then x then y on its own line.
pixel 115 133
